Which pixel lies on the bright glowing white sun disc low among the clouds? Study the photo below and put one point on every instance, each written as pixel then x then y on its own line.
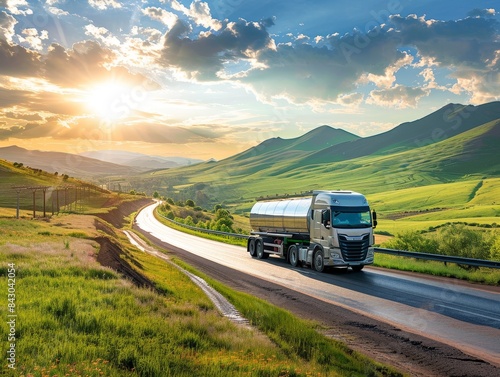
pixel 108 100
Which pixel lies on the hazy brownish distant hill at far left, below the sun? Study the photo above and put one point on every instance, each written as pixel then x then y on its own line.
pixel 63 163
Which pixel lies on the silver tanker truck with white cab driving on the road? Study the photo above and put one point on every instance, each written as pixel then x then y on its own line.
pixel 329 229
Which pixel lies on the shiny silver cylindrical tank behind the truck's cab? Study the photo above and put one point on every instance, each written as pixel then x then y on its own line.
pixel 281 216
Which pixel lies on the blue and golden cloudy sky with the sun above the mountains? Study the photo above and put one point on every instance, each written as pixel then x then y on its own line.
pixel 209 79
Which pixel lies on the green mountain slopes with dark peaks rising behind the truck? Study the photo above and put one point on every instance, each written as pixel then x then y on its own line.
pixel 451 144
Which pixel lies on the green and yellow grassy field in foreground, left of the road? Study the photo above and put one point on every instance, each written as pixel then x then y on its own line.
pixel 85 319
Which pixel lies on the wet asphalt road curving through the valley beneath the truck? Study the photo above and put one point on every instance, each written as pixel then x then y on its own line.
pixel 463 316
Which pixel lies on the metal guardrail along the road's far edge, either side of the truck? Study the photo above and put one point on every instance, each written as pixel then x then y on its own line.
pixel 402 253
